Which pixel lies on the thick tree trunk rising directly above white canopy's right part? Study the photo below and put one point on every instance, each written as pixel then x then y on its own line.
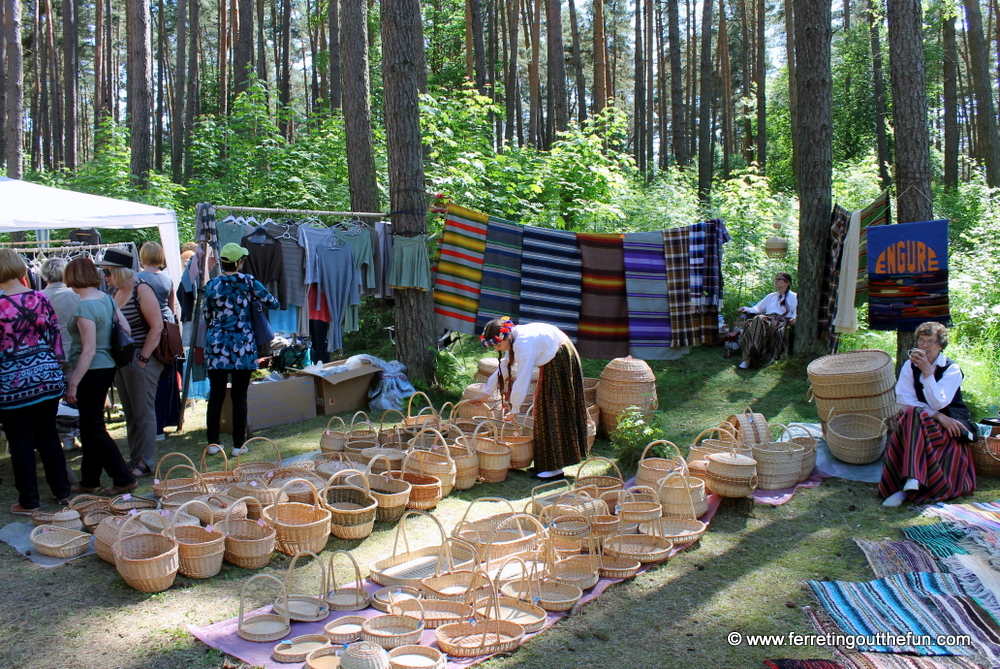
pixel 140 76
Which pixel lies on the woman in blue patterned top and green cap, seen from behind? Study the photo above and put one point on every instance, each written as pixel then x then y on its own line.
pixel 231 350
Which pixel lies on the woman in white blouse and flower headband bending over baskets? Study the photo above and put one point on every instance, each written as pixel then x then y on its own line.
pixel 560 426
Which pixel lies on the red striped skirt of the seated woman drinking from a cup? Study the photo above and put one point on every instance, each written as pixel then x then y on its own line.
pixel 918 447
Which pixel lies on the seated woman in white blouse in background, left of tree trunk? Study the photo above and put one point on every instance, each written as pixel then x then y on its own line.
pixel 763 340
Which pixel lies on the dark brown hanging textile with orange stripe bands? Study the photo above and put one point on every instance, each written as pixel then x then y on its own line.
pixel 604 324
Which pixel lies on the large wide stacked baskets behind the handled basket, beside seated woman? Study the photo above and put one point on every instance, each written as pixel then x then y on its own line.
pixel 858 382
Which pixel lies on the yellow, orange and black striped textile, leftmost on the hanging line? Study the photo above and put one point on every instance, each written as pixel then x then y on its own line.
pixel 460 270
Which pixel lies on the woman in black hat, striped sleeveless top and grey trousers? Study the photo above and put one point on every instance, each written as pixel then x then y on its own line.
pixel 137 382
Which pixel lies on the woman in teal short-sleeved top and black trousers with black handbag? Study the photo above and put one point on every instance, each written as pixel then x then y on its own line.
pixel 89 383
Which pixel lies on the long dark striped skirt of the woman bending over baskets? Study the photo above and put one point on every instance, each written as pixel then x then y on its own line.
pixel 560 412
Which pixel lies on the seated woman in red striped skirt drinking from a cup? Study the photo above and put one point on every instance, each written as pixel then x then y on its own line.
pixel 927 457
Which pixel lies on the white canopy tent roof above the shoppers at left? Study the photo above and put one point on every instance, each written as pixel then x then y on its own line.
pixel 28 206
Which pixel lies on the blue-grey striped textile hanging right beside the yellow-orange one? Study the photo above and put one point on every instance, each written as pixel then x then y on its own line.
pixel 501 287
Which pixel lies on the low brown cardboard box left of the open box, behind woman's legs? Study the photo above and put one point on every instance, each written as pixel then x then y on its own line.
pixel 271 403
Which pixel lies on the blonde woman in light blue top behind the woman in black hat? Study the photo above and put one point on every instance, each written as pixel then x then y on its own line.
pixel 168 392
